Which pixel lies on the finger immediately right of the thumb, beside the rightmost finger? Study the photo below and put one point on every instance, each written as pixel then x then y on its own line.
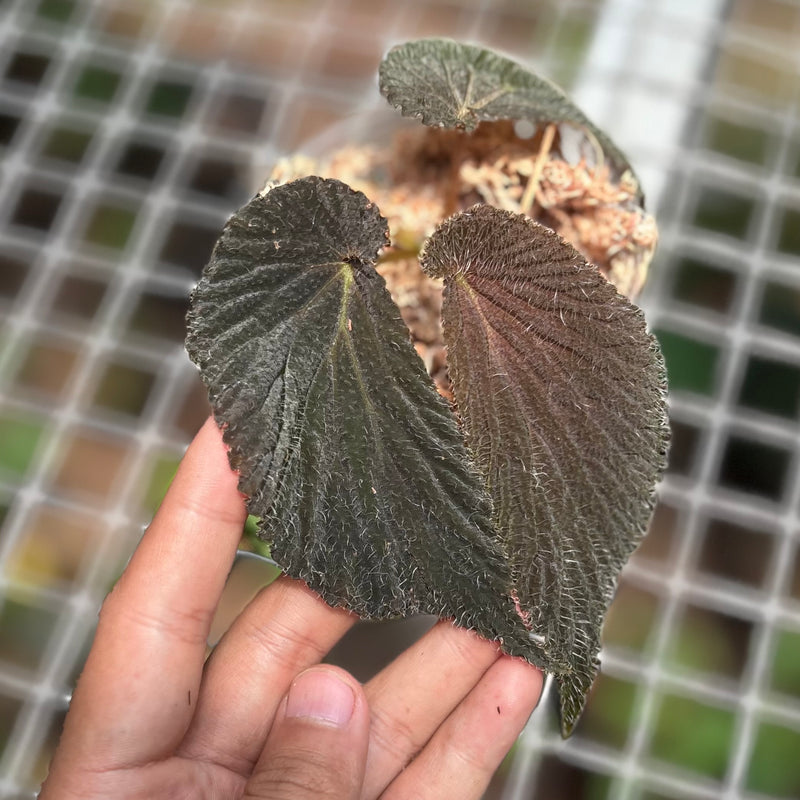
pixel 411 697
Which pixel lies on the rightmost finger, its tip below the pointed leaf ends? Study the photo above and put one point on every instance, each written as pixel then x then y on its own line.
pixel 464 753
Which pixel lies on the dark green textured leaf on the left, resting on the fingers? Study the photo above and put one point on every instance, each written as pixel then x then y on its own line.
pixel 352 460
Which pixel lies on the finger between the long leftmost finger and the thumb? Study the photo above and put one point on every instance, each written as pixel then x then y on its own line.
pixel 285 629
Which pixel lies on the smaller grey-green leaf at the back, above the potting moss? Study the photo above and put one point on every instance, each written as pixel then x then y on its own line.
pixel 454 85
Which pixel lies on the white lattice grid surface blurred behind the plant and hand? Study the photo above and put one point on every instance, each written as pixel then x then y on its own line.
pixel 650 70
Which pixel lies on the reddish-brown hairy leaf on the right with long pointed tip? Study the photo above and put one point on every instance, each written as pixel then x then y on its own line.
pixel 562 394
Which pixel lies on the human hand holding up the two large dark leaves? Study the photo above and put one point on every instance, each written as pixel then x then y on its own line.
pixel 262 718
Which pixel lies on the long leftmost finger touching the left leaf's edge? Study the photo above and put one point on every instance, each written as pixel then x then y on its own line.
pixel 140 684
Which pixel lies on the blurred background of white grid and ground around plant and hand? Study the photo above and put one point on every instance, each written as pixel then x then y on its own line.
pixel 129 132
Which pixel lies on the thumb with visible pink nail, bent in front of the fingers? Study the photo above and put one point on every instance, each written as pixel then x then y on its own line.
pixel 317 748
